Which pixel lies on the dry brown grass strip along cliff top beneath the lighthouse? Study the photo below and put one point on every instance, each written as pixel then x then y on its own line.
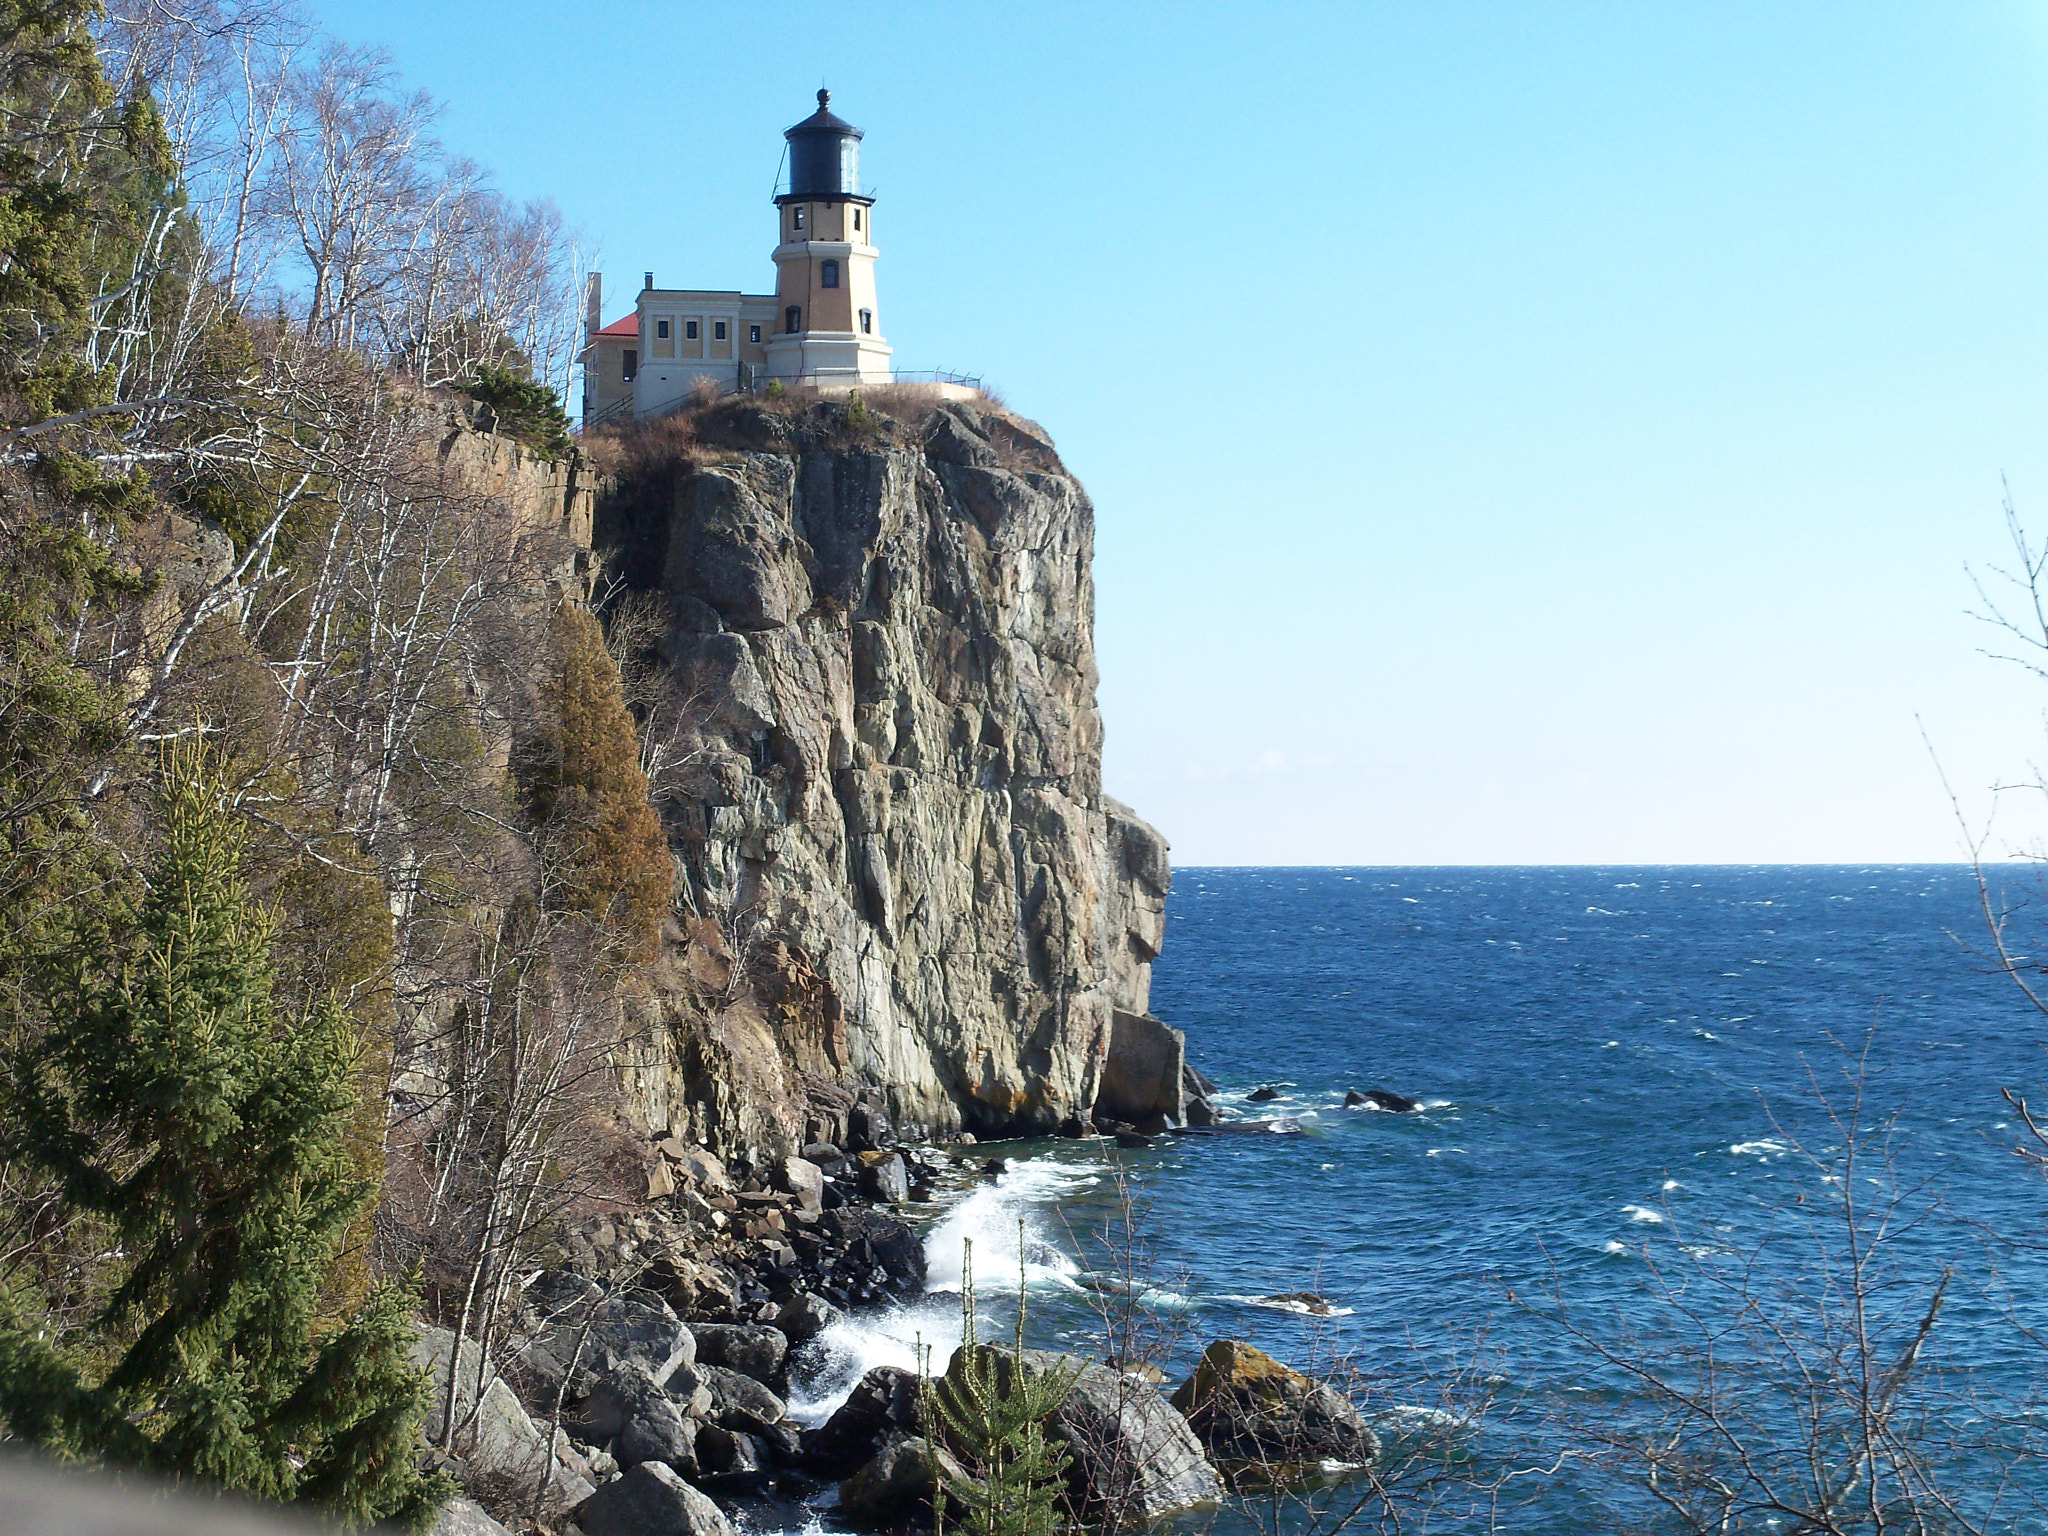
pixel 714 429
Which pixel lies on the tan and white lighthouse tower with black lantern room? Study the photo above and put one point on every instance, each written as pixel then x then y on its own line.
pixel 826 327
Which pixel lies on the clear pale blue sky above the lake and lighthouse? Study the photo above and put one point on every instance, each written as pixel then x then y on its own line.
pixel 1517 433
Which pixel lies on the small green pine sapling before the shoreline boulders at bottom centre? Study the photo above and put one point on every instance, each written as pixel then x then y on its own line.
pixel 994 1410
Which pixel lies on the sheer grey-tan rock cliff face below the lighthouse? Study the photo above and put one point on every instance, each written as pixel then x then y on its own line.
pixel 880 761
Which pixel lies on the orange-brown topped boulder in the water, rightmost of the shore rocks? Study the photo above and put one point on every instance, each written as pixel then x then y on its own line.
pixel 1252 1410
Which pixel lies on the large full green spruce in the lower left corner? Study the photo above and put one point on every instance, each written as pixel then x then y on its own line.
pixel 208 1138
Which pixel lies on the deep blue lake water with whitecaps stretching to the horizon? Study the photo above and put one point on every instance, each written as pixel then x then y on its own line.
pixel 1611 1060
